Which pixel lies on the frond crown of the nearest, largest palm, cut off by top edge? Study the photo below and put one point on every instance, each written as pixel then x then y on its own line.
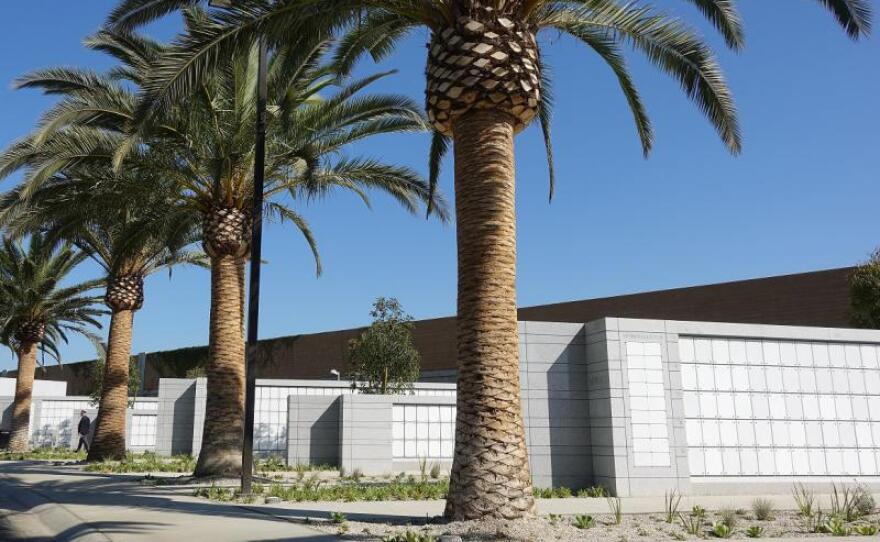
pixel 604 26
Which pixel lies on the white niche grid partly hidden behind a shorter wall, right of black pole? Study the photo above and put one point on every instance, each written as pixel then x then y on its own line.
pixel 270 413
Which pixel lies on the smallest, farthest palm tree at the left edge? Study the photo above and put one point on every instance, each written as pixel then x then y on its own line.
pixel 36 311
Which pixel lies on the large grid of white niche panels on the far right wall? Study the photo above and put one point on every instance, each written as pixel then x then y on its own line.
pixel 781 408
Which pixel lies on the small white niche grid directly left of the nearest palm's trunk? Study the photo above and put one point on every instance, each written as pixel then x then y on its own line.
pixel 423 431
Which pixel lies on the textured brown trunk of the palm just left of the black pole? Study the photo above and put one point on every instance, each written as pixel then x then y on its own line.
pixel 224 411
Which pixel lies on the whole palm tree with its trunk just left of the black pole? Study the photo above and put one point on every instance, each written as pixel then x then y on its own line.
pixel 208 149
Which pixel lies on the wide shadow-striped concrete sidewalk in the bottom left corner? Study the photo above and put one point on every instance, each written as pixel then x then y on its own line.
pixel 40 502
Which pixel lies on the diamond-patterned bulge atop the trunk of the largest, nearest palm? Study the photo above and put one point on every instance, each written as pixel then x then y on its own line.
pixel 488 60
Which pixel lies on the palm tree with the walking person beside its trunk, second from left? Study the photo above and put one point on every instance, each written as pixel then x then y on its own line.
pixel 126 223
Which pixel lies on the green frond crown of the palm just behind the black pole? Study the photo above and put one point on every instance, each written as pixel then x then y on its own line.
pixel 206 147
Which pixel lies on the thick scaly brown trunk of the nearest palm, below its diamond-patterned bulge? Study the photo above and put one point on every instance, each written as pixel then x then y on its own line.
pixel 490 471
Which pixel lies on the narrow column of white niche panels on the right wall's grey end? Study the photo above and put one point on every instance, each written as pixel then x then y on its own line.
pixel 647 400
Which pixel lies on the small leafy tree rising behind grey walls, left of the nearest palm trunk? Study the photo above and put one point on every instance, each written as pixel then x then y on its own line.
pixel 383 359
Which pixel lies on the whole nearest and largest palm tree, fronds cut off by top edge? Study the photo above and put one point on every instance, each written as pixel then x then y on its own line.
pixel 485 83
